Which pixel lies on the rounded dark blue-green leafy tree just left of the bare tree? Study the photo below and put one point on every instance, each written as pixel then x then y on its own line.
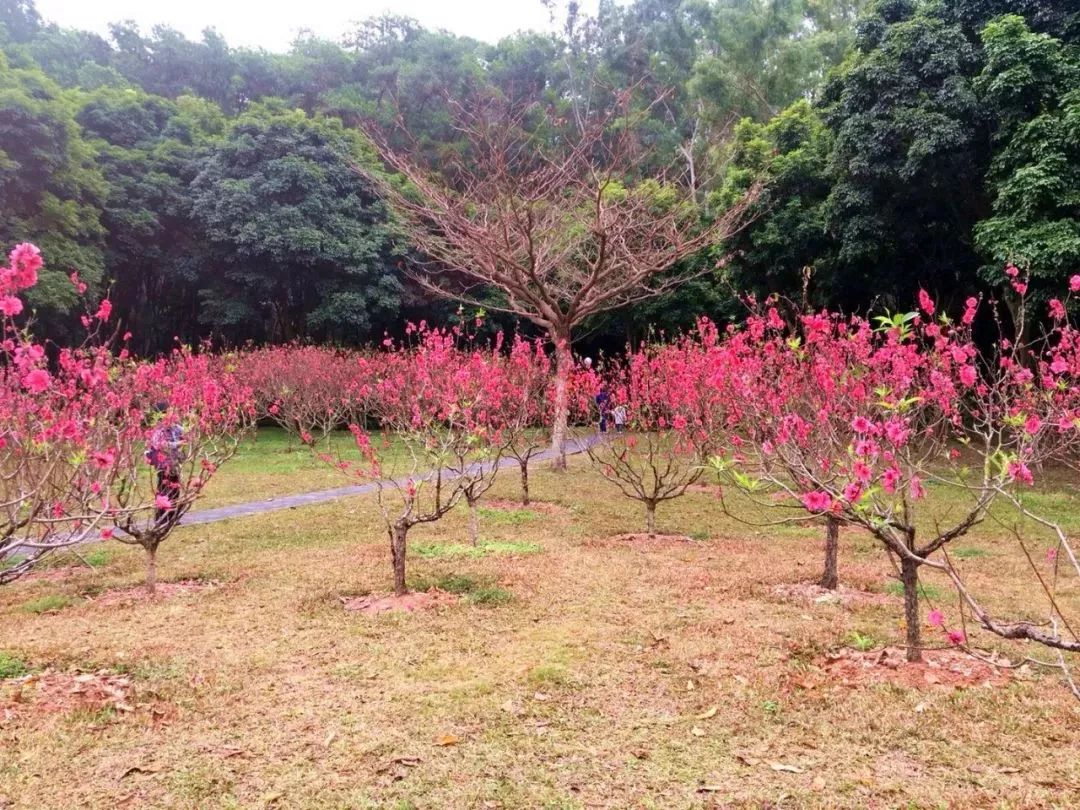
pixel 302 245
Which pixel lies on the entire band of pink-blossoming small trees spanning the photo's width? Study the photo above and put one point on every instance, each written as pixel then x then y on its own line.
pixel 814 415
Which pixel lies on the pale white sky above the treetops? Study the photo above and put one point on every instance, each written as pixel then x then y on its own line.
pixel 274 24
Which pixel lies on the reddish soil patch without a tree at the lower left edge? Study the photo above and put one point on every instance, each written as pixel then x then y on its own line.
pixel 63 693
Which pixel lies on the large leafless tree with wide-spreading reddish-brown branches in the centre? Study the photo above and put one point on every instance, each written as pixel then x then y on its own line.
pixel 546 221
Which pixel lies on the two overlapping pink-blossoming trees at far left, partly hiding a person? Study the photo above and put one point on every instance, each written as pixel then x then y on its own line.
pixel 97 445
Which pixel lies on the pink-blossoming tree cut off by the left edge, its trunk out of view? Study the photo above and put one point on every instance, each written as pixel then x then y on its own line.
pixel 58 460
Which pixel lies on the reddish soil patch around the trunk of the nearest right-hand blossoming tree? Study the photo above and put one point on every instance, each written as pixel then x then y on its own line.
pixel 950 669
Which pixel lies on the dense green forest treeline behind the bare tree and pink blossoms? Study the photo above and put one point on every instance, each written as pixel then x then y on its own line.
pixel 214 190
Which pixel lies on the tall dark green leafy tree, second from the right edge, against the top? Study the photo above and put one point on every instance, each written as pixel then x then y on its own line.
pixel 910 134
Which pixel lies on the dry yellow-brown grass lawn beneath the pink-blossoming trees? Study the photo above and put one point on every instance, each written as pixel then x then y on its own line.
pixel 574 671
